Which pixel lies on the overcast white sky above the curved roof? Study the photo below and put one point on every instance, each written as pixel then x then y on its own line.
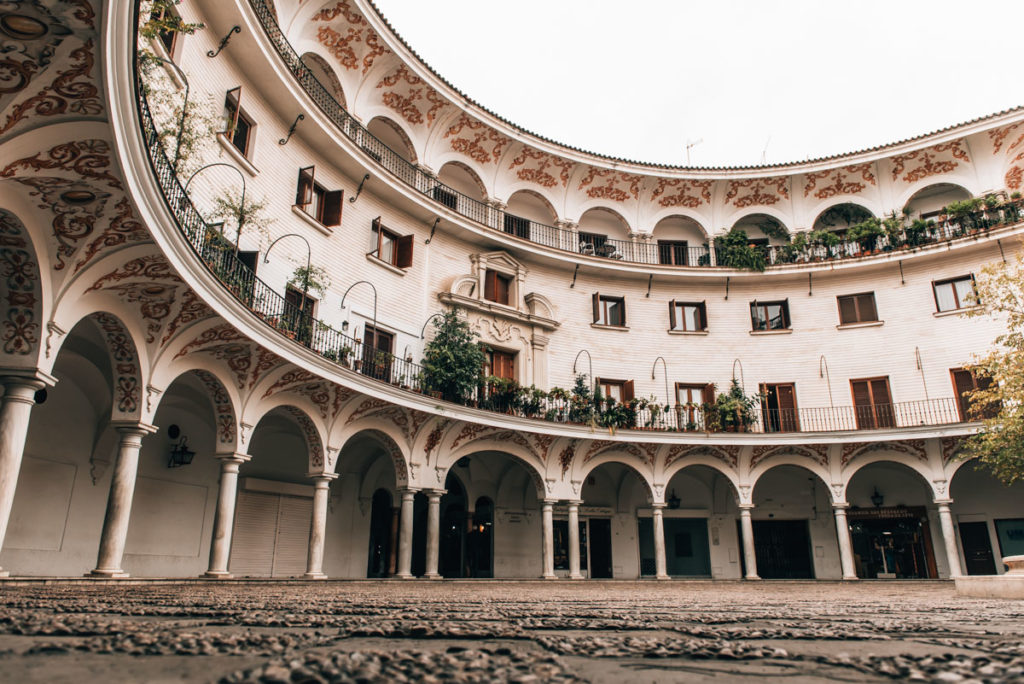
pixel 639 79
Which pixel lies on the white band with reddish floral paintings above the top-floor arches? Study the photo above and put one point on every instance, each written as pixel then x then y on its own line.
pixel 444 127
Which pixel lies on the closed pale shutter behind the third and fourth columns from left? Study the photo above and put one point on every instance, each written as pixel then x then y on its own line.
pixel 272 535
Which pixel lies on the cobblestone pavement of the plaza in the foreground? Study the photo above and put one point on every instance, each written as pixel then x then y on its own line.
pixel 506 632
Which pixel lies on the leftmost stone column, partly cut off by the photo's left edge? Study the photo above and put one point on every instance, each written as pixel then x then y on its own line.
pixel 16 406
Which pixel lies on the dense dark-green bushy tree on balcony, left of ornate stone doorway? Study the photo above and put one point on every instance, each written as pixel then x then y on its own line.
pixel 453 360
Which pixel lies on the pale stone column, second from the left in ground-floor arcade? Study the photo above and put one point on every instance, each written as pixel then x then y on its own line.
pixel 112 541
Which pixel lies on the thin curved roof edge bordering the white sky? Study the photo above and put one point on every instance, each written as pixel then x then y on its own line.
pixel 561 148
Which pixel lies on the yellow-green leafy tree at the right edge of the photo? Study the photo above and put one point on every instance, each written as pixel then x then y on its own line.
pixel 1000 446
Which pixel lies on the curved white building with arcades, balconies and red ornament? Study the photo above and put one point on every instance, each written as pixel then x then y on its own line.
pixel 223 253
